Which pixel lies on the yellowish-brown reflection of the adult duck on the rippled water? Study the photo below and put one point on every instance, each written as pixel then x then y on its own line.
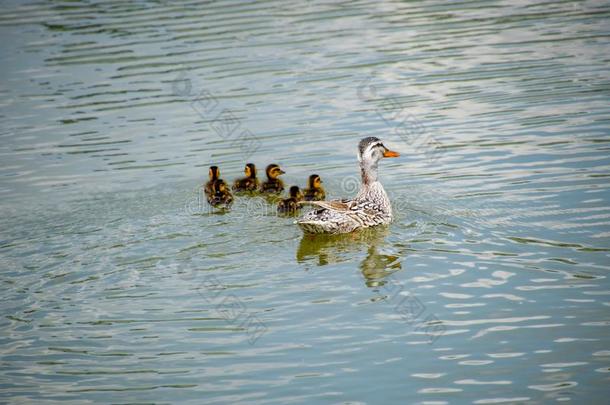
pixel 328 249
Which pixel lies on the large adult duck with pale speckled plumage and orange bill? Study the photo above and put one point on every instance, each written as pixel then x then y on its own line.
pixel 370 207
